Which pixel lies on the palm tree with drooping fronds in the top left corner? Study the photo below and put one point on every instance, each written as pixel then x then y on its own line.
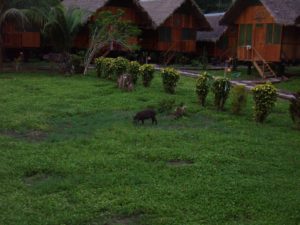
pixel 21 12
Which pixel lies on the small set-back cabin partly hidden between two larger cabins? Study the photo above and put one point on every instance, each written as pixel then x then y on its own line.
pixel 220 43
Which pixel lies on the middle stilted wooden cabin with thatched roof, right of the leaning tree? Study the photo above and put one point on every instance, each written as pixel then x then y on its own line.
pixel 174 26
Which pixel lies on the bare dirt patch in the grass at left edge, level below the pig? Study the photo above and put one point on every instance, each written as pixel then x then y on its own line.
pixel 33 135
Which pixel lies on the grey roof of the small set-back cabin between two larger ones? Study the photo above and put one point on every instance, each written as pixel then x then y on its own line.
pixel 218 30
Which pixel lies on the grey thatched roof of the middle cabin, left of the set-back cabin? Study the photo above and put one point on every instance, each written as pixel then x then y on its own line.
pixel 160 10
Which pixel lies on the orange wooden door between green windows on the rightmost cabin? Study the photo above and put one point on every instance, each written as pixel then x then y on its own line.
pixel 259 41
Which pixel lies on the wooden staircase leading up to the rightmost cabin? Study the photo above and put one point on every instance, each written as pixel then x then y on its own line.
pixel 262 66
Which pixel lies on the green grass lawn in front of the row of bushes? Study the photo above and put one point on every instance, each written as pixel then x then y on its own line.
pixel 71 155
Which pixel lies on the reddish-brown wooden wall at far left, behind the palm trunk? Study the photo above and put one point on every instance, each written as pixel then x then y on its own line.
pixel 13 38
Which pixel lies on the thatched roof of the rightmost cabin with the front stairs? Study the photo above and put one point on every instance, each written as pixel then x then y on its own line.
pixel 284 12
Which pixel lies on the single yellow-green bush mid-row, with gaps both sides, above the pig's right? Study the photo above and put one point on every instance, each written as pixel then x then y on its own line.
pixel 170 78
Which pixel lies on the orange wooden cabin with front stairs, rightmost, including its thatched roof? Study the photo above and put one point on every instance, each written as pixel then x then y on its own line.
pixel 267 32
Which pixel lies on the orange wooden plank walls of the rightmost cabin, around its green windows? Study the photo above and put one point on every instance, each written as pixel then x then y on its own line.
pixel 287 48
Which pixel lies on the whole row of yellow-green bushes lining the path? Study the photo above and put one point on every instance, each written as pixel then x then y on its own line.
pixel 264 95
